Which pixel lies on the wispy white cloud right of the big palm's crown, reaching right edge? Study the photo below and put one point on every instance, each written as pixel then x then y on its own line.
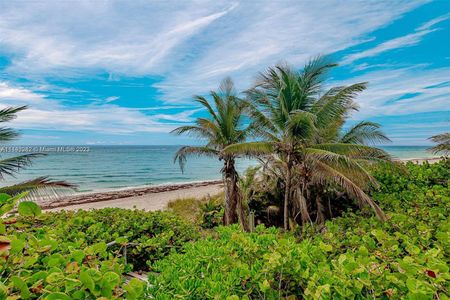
pixel 429 90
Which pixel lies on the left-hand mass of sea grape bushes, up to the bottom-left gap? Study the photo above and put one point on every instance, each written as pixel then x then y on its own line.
pixel 65 255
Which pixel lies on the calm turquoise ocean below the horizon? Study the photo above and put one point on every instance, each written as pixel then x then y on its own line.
pixel 101 168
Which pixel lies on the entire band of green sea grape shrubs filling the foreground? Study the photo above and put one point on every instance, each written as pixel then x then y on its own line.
pixel 69 255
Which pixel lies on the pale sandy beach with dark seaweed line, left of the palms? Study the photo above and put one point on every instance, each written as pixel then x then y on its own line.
pixel 148 198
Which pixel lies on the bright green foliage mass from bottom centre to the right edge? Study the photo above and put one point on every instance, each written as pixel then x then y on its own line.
pixel 354 256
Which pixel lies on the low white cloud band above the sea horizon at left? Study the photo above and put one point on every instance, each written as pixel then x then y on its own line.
pixel 46 114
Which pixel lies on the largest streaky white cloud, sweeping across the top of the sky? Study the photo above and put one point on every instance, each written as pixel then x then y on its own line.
pixel 191 44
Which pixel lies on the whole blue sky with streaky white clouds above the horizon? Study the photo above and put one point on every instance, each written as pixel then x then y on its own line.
pixel 122 72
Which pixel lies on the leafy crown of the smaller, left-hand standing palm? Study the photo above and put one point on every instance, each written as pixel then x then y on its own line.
pixel 224 125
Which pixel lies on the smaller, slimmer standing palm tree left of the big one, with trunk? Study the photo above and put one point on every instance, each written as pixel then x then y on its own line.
pixel 224 126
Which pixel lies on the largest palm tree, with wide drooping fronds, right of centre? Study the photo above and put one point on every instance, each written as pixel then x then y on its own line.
pixel 302 127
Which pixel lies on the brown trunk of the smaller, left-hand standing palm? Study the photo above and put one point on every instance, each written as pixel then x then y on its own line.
pixel 230 186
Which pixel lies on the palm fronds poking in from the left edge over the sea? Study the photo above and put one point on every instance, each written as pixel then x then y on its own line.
pixel 38 187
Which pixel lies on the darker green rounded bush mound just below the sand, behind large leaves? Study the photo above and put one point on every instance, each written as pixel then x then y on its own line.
pixel 151 235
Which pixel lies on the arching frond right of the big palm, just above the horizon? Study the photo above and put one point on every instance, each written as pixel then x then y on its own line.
pixel 364 133
